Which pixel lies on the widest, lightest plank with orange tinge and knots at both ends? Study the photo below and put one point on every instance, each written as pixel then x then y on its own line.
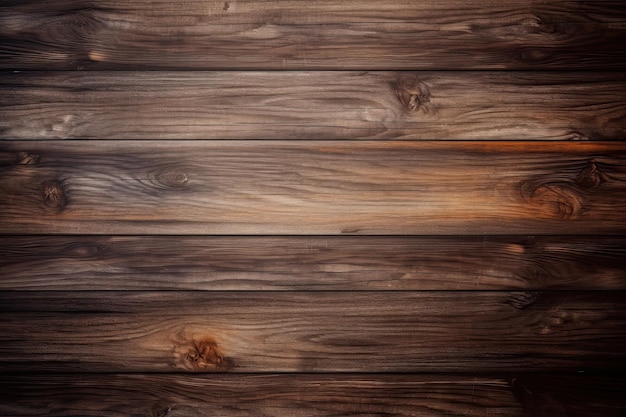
pixel 324 187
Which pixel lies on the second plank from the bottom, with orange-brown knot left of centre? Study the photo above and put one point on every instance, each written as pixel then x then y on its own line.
pixel 315 331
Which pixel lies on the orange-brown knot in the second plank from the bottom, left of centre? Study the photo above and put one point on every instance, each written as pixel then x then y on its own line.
pixel 202 355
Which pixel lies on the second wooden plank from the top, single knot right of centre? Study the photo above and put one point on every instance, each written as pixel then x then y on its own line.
pixel 313 105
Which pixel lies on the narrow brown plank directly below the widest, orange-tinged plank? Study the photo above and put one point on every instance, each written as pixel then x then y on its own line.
pixel 304 263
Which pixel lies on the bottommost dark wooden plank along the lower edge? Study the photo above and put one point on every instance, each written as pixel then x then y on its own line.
pixel 450 395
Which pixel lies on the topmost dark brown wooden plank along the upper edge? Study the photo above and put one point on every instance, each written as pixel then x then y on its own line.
pixel 325 34
